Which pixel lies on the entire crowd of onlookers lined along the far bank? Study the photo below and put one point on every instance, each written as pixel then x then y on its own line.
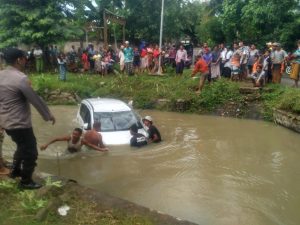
pixel 236 62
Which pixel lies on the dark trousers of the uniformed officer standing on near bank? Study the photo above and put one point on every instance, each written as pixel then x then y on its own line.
pixel 26 154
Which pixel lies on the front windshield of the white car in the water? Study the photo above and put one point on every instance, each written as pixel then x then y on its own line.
pixel 117 121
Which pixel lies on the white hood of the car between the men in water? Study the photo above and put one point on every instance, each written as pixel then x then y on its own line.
pixel 119 137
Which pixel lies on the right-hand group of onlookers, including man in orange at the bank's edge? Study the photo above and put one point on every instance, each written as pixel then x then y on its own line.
pixel 241 62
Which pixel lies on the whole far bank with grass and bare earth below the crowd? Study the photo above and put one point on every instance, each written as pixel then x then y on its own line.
pixel 173 93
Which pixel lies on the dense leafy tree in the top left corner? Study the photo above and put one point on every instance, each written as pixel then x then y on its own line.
pixel 35 21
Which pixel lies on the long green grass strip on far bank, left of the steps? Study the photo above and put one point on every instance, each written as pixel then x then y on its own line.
pixel 144 90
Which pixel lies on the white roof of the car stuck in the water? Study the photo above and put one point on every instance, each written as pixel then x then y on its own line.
pixel 107 105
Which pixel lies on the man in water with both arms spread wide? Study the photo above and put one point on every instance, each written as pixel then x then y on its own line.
pixel 74 142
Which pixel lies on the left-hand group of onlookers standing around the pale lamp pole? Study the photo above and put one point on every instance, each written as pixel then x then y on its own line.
pixel 131 59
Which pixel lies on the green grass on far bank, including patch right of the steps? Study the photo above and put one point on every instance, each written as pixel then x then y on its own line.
pixel 146 90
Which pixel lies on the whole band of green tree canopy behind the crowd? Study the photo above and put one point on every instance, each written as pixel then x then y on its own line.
pixel 254 21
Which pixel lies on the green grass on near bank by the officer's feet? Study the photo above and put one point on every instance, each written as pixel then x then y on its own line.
pixel 35 207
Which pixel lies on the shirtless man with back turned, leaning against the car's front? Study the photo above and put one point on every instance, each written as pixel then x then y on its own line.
pixel 94 137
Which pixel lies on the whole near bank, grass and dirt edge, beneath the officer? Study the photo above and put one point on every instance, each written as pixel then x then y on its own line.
pixel 62 201
